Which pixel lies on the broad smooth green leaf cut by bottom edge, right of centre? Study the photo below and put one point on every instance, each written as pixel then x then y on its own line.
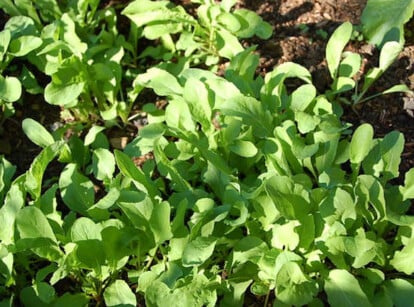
pixel 343 290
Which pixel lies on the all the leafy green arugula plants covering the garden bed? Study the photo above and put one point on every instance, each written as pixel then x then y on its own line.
pixel 240 186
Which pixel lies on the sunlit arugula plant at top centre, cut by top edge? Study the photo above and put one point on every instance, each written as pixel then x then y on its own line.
pixel 212 35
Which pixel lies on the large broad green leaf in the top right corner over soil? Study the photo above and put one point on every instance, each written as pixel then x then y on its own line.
pixel 383 20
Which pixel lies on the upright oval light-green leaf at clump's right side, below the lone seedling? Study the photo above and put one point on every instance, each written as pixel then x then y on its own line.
pixel 361 143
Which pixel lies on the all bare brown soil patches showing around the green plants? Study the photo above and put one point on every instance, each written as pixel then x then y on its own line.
pixel 301 31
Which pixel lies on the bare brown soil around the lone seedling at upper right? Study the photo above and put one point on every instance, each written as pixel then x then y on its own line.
pixel 301 28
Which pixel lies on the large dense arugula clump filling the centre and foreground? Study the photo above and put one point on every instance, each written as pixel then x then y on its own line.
pixel 251 189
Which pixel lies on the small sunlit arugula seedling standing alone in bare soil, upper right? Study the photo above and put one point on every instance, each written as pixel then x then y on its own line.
pixel 344 67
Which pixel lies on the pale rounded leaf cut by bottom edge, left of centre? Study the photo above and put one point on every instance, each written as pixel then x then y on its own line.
pixel 119 294
